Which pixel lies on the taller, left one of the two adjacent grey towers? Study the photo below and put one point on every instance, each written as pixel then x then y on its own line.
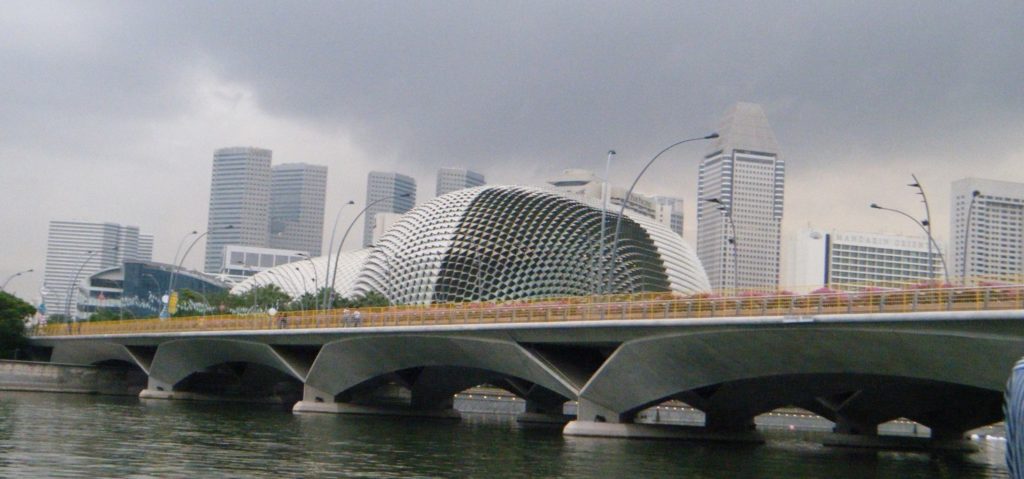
pixel 240 198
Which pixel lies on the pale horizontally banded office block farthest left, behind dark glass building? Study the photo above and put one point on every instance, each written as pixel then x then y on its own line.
pixel 76 247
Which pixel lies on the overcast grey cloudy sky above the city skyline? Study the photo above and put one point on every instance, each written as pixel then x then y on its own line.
pixel 111 111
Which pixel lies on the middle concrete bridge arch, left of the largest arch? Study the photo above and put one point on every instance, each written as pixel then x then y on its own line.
pixel 434 368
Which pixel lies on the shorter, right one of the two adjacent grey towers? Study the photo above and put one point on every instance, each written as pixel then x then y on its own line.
pixel 297 195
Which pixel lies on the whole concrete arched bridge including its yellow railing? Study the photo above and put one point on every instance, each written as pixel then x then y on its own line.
pixel 941 358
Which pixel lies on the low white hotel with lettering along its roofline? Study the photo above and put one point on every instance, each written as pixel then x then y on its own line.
pixel 847 260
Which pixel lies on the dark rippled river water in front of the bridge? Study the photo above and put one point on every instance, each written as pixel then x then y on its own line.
pixel 55 436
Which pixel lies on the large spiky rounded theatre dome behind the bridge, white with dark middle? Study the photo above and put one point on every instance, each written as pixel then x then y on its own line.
pixel 506 243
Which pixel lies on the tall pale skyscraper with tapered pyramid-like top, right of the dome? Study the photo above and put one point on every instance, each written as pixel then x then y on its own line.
pixel 744 175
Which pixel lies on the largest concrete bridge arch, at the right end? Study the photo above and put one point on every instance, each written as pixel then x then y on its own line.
pixel 755 371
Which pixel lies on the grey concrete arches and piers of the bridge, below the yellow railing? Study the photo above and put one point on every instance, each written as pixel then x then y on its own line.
pixel 857 377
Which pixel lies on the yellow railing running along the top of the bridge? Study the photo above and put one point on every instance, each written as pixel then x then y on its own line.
pixel 646 307
